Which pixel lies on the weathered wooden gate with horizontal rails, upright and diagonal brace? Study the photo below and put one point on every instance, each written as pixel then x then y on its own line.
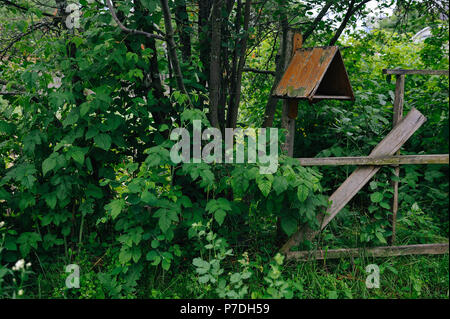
pixel 386 153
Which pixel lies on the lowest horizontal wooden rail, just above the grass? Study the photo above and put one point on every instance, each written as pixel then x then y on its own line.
pixel 385 251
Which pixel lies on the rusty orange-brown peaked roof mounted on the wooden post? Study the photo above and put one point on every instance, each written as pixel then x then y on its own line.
pixel 315 74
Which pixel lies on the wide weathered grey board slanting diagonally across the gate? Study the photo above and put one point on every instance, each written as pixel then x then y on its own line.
pixel 388 146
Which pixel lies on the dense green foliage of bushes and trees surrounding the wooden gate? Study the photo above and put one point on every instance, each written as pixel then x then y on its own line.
pixel 86 177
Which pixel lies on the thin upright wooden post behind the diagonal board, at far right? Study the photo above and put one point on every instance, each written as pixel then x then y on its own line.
pixel 398 114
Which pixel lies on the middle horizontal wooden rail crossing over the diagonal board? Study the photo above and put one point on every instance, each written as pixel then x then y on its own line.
pixel 383 160
